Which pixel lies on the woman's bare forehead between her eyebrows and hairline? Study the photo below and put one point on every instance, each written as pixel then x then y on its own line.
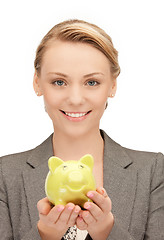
pixel 68 55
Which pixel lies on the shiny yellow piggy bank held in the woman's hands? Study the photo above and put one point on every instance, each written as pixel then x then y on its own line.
pixel 69 181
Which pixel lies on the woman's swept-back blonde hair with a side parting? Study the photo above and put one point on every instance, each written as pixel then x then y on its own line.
pixel 79 31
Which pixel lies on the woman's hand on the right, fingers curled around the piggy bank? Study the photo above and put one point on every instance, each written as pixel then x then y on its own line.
pixel 97 219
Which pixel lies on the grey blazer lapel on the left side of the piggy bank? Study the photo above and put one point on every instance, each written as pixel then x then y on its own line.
pixel 34 177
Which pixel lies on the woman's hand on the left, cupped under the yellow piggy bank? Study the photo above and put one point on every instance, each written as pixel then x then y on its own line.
pixel 55 220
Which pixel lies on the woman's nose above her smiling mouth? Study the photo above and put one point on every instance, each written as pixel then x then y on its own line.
pixel 76 95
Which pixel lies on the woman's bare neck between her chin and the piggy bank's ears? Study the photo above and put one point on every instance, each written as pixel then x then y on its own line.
pixel 73 148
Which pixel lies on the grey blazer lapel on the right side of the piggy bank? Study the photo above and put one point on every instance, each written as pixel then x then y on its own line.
pixel 120 181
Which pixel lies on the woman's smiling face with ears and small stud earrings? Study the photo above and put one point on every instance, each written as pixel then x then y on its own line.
pixel 75 81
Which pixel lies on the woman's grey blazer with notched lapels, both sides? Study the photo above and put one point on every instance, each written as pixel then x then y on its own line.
pixel 134 180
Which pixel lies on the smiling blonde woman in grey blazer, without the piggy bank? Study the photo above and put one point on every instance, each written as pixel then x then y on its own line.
pixel 76 69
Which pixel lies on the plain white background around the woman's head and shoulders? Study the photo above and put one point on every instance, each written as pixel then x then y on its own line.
pixel 134 118
